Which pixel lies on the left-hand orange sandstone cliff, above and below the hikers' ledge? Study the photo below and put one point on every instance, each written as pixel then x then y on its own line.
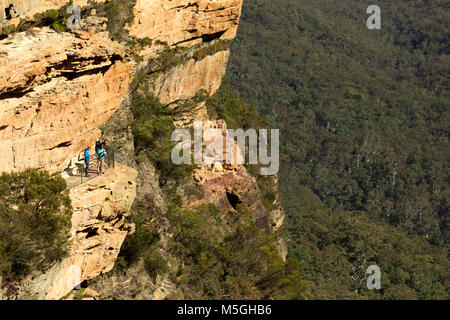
pixel 56 90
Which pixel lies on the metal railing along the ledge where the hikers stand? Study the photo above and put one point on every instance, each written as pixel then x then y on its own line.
pixel 80 176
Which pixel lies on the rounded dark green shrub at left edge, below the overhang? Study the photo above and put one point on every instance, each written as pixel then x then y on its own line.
pixel 35 212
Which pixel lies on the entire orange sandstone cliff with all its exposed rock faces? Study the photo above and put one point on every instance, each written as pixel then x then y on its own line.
pixel 60 91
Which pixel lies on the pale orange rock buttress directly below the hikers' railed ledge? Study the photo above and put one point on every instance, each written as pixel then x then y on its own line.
pixel 98 230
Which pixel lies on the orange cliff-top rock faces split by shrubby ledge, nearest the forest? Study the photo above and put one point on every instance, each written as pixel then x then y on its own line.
pixel 185 23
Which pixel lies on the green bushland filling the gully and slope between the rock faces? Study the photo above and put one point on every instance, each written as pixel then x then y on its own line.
pixel 213 255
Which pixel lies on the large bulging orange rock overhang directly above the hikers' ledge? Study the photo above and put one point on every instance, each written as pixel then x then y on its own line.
pixel 56 90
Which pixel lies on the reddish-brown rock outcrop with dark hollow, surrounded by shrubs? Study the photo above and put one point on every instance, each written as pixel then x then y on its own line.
pixel 229 185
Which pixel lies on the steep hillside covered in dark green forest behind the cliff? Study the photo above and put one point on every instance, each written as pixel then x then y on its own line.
pixel 365 123
